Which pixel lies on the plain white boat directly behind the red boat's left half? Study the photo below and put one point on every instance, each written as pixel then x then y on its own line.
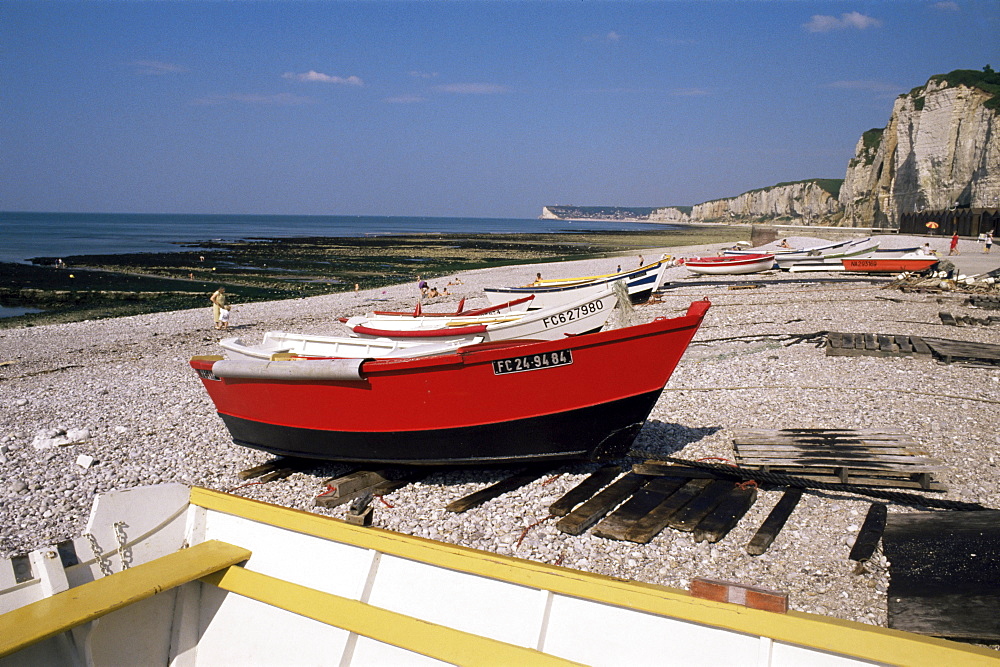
pixel 278 345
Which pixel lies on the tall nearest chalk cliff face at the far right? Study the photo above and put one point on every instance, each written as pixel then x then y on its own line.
pixel 940 149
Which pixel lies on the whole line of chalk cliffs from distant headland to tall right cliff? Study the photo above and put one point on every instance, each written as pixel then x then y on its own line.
pixel 899 175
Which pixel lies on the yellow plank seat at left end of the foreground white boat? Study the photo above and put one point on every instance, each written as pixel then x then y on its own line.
pixel 64 611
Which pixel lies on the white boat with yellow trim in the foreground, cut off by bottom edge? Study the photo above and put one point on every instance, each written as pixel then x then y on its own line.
pixel 177 576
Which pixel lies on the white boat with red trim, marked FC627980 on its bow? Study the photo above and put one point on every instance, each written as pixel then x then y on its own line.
pixel 583 315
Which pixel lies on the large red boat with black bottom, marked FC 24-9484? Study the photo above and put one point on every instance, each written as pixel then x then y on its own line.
pixel 580 397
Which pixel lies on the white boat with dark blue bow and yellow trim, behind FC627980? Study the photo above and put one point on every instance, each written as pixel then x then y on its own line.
pixel 549 293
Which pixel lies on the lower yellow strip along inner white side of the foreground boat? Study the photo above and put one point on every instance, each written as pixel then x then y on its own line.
pixel 389 627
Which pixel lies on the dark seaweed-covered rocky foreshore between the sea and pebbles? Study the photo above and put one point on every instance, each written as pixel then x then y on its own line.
pixel 267 269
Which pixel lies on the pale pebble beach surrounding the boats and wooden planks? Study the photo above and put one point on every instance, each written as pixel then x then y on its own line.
pixel 92 406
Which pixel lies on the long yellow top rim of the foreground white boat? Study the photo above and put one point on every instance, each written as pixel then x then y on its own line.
pixel 809 630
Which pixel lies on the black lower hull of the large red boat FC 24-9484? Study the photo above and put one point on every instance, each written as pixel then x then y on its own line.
pixel 598 432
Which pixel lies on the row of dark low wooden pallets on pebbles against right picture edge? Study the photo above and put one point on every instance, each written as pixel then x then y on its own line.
pixel 891 345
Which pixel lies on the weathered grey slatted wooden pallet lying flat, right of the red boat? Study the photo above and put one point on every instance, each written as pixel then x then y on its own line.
pixel 847 456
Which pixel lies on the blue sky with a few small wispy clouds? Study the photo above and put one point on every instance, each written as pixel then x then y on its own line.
pixel 482 109
